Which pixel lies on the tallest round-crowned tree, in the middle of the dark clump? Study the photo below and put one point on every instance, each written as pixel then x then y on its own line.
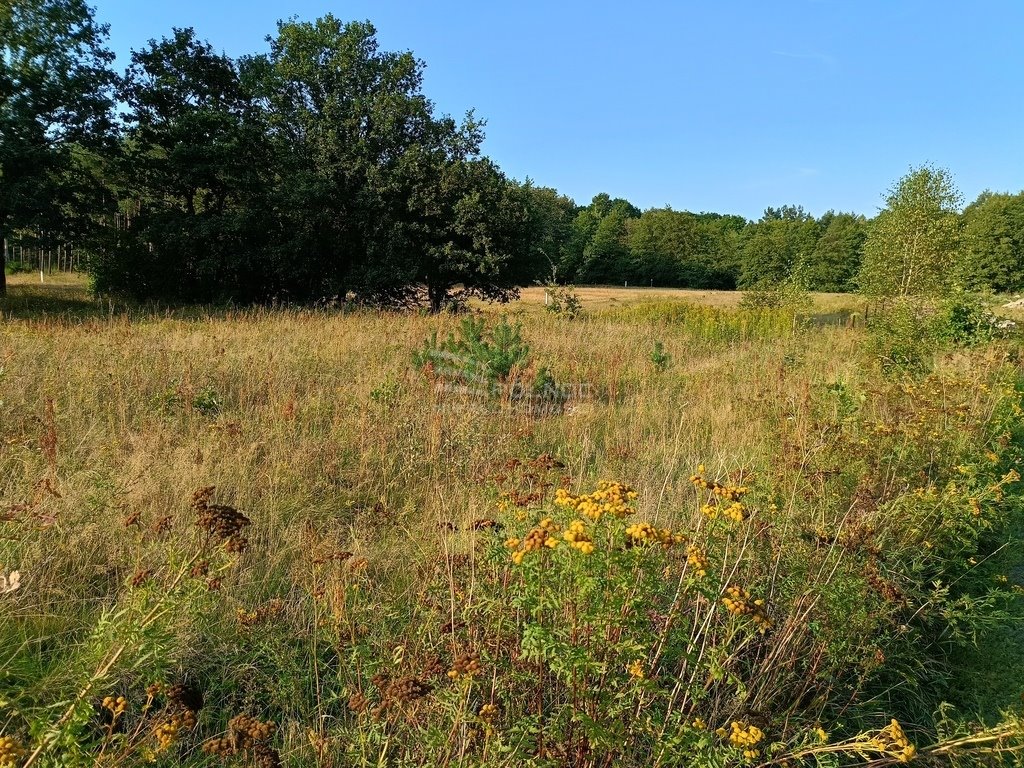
pixel 342 115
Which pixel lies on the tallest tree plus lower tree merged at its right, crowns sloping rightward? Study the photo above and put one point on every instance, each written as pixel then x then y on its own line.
pixel 376 196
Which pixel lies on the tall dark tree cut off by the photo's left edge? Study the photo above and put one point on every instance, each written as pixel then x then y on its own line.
pixel 57 93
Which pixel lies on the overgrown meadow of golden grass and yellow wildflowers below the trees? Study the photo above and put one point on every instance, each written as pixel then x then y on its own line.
pixel 269 538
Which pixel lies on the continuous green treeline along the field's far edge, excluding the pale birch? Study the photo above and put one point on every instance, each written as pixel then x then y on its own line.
pixel 320 170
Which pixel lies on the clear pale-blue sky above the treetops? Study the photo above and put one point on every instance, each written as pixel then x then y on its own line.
pixel 727 106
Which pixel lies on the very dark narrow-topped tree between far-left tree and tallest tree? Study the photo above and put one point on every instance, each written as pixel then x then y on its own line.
pixel 193 174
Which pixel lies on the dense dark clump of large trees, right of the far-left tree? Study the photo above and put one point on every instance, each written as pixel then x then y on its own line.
pixel 318 172
